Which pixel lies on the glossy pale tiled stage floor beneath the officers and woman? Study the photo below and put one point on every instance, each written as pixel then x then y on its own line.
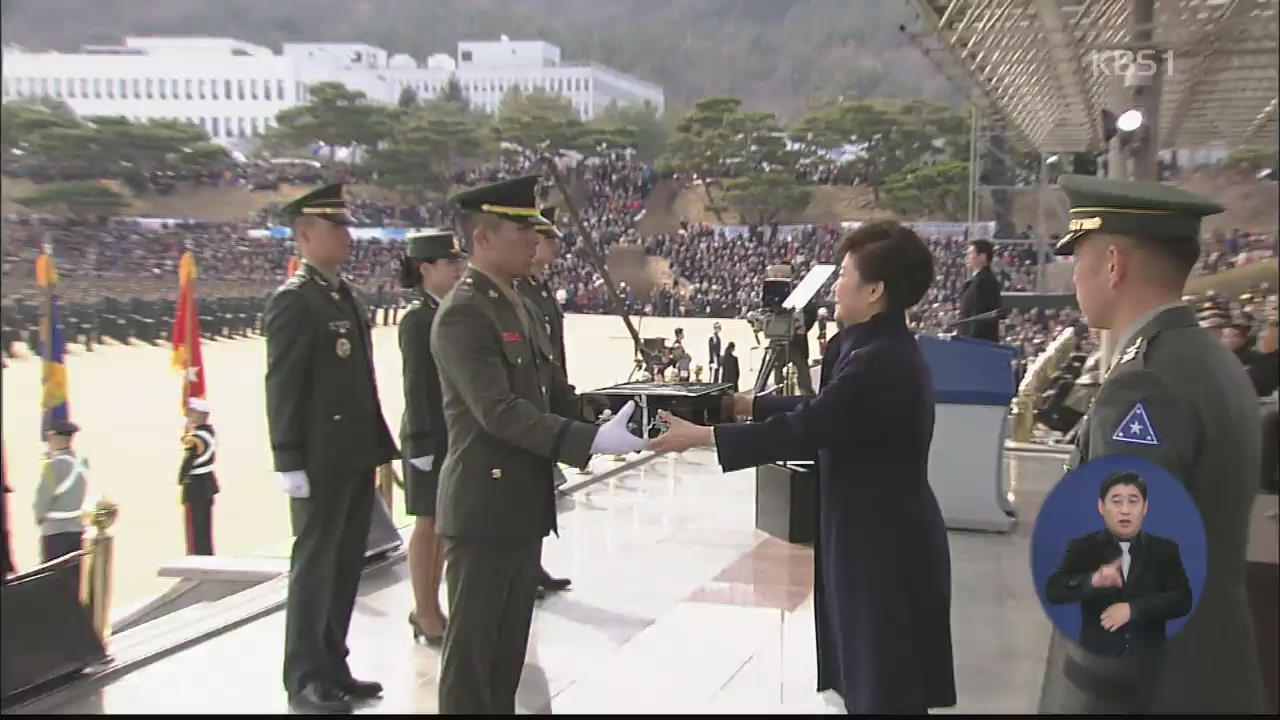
pixel 679 605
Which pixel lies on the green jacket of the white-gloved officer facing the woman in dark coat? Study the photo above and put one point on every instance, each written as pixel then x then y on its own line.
pixel 508 408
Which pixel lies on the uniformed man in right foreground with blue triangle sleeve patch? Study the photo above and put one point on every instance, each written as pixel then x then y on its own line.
pixel 1178 398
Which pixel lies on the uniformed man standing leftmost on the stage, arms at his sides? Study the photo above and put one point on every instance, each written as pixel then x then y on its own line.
pixel 328 438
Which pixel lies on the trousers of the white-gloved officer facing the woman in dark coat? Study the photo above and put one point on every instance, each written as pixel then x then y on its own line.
pixel 492 587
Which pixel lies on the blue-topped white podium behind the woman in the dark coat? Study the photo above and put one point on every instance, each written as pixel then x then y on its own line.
pixel 973 384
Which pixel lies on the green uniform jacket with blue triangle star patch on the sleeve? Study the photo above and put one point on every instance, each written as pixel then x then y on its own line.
pixel 1180 399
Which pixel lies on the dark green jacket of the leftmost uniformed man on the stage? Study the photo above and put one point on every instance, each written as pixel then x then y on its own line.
pixel 322 397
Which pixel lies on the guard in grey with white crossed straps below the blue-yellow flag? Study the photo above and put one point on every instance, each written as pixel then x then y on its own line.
pixel 61 495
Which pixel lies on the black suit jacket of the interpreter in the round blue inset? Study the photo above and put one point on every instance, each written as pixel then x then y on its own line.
pixel 1156 591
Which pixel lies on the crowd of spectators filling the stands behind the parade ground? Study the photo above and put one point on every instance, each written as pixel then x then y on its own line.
pixel 708 271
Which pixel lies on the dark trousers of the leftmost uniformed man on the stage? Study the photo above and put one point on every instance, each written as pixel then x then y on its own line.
pixel 331 535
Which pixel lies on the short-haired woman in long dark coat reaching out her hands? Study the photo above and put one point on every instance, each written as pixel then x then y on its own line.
pixel 883 582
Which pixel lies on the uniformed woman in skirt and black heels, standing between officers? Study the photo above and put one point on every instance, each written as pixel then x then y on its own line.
pixel 433 265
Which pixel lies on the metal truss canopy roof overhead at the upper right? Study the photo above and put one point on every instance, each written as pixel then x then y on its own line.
pixel 1044 66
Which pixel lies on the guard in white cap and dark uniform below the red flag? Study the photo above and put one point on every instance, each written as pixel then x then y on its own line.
pixel 196 479
